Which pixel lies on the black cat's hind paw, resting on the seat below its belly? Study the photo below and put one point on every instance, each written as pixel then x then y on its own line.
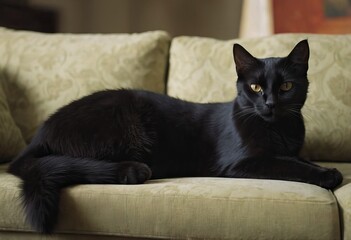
pixel 133 173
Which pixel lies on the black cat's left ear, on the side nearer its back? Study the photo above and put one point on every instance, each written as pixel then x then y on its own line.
pixel 242 58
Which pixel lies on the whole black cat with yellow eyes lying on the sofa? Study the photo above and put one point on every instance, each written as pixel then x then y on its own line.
pixel 128 137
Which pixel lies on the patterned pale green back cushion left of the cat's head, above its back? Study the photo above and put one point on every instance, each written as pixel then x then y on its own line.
pixel 45 71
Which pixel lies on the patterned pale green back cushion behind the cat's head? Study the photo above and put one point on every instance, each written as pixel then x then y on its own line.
pixel 202 70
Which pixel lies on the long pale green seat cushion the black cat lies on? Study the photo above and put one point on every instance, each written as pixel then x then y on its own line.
pixel 186 208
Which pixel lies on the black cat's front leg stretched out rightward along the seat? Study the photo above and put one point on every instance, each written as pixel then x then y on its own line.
pixel 286 168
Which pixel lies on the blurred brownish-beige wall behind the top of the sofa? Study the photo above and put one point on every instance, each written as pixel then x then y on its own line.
pixel 210 18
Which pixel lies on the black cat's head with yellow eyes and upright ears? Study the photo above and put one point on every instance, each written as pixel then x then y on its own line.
pixel 272 87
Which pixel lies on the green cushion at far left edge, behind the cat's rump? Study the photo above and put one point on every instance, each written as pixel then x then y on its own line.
pixel 11 140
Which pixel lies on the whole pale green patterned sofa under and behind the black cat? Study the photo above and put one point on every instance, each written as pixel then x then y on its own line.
pixel 41 72
